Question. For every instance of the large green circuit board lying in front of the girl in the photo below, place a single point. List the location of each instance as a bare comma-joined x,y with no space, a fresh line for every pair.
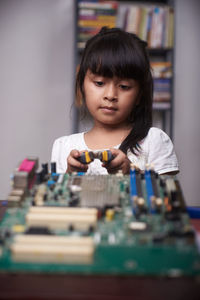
97,224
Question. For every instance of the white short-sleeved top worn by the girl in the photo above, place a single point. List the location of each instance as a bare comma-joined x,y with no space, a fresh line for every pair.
156,150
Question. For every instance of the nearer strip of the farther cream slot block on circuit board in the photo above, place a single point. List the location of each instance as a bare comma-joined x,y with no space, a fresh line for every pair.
61,221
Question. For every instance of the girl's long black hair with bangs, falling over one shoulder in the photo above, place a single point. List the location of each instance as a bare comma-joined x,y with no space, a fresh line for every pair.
114,52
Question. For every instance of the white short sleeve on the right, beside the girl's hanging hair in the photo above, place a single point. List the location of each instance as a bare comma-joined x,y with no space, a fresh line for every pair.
161,153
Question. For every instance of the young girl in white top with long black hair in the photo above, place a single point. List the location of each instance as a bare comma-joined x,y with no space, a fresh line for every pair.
115,83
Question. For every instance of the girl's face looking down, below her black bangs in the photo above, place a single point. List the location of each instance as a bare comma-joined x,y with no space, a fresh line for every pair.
110,100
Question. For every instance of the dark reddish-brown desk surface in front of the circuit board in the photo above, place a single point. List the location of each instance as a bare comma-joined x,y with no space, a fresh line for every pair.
30,287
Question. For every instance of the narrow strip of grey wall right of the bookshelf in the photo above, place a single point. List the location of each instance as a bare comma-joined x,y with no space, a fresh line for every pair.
187,97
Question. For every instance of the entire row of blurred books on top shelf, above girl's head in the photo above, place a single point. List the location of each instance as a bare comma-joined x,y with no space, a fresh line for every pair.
153,23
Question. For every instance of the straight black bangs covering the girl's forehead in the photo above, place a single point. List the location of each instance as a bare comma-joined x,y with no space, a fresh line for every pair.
109,58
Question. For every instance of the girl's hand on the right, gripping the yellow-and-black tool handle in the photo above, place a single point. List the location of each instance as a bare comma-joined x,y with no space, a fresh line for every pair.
120,162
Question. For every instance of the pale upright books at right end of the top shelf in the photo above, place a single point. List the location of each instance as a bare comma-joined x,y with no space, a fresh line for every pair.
152,23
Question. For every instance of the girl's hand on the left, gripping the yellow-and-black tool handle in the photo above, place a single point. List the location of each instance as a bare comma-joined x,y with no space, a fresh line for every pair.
73,165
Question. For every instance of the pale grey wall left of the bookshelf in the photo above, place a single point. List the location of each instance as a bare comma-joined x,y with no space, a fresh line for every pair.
36,79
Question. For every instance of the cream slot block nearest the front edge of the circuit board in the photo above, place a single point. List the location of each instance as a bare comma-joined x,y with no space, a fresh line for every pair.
53,249
